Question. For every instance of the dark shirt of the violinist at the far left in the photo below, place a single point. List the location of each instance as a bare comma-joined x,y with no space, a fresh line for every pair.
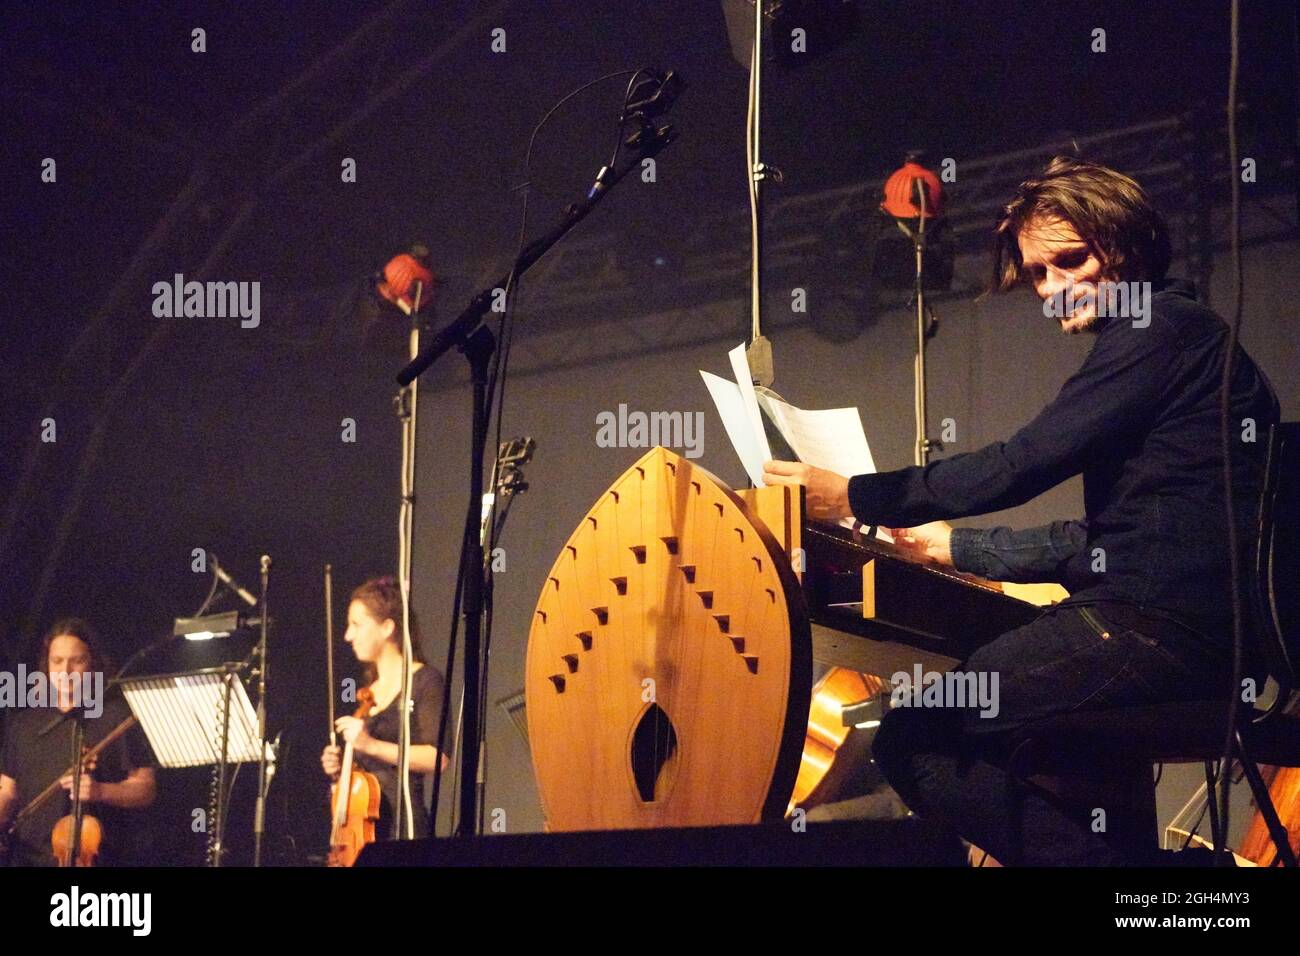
36,756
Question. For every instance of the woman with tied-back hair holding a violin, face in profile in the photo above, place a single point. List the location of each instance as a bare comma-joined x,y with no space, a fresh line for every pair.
375,631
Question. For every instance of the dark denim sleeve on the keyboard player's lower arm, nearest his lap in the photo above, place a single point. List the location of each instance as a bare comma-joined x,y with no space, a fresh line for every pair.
1029,556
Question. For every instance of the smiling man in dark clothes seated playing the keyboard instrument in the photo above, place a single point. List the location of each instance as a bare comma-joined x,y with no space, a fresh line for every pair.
1150,618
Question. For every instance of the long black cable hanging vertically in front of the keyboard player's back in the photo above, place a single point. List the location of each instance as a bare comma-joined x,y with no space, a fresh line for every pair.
1225,410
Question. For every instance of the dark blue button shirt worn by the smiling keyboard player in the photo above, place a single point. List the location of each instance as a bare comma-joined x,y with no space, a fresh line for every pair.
1141,422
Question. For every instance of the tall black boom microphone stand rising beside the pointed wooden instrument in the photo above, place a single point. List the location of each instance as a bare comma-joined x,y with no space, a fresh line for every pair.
476,341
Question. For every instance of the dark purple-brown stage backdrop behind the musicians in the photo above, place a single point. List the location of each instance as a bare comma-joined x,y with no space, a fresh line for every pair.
181,434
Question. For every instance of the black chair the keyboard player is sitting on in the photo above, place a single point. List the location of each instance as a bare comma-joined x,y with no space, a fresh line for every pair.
1195,732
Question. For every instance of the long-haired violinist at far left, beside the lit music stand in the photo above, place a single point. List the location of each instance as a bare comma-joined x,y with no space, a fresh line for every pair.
37,762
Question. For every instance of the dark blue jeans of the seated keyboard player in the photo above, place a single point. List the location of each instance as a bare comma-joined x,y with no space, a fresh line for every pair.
950,764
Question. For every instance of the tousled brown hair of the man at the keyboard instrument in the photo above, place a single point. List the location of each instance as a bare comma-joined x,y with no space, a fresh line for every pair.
1110,211
